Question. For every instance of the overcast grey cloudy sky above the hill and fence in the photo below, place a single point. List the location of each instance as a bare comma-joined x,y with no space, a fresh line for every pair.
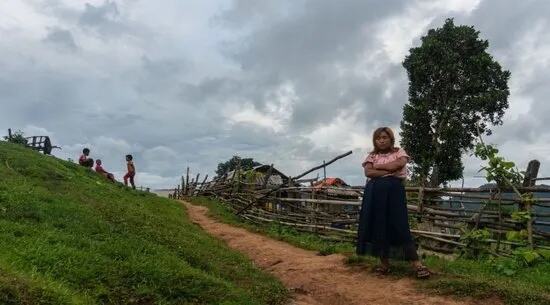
191,83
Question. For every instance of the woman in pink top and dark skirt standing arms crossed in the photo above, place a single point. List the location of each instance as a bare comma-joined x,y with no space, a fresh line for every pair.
383,223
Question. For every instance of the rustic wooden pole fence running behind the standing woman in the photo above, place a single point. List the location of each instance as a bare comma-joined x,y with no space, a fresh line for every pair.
443,220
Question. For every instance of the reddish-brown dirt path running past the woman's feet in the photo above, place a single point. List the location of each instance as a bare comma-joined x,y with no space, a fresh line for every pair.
315,279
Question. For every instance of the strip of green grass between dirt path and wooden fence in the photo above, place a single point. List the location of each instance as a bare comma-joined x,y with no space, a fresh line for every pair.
482,278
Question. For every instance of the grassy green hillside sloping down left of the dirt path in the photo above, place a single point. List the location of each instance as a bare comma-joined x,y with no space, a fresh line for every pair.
68,236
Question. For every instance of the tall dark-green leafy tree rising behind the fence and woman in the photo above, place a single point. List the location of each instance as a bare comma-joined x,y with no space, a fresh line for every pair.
455,87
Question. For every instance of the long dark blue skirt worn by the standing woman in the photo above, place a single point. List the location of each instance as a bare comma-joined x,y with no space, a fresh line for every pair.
383,222
